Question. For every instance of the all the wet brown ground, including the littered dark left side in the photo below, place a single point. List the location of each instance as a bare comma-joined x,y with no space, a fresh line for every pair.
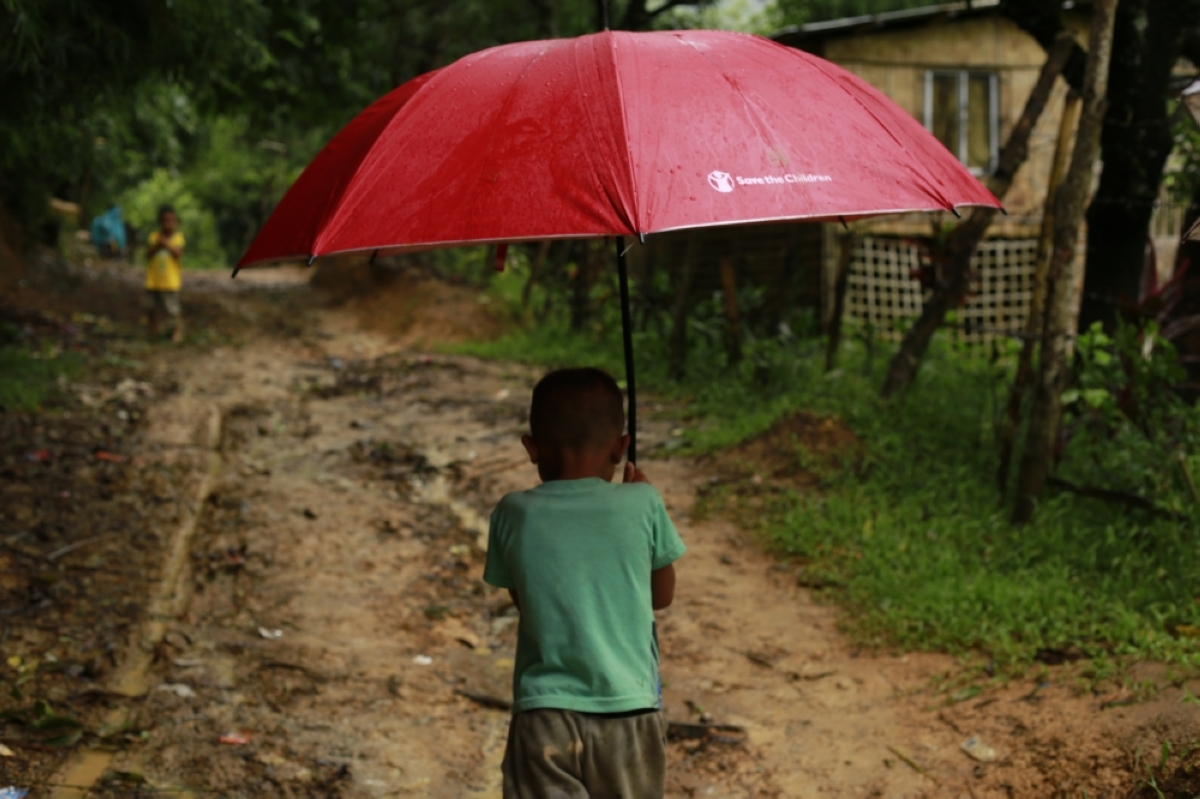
269,585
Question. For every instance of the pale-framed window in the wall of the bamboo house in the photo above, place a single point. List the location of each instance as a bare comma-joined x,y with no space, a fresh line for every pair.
963,111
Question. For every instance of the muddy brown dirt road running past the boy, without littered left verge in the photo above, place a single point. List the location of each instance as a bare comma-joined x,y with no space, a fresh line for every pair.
328,634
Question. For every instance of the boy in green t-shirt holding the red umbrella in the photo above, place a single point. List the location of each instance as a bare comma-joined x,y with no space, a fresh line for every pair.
587,563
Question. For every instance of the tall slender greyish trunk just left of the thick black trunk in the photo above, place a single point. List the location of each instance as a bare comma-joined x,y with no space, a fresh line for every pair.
1070,203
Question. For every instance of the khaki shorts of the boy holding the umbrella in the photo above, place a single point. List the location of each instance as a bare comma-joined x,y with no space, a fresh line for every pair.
566,755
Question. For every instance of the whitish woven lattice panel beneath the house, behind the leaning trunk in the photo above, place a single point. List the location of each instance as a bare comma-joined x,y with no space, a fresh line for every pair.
881,289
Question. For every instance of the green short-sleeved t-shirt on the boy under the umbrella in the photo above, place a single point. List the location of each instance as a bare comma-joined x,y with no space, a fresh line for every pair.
579,555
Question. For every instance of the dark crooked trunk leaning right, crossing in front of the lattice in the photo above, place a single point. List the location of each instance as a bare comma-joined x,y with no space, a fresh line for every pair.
955,256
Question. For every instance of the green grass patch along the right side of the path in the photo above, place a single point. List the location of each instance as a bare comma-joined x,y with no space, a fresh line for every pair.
915,534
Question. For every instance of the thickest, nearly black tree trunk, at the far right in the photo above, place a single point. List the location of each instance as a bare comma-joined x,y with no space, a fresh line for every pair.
1137,142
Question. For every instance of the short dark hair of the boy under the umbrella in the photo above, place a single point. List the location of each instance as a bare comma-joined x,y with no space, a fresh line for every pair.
577,410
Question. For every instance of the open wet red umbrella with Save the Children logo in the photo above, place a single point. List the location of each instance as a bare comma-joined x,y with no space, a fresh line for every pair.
613,135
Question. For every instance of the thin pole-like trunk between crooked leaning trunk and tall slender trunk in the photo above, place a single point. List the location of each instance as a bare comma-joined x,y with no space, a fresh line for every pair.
1036,321
